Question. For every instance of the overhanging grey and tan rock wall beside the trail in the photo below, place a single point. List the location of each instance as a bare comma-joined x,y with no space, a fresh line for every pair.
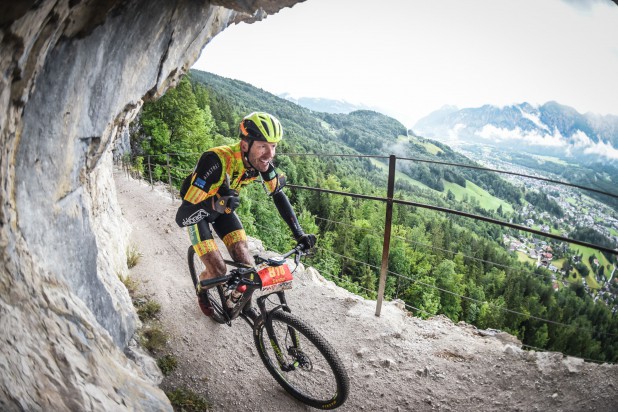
73,75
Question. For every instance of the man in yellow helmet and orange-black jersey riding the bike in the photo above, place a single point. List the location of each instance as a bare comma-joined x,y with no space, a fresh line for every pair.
210,196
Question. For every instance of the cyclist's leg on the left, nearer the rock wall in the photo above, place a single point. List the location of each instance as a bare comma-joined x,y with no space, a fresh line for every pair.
206,248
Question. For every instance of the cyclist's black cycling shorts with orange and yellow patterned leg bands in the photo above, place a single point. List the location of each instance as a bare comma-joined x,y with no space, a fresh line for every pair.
227,226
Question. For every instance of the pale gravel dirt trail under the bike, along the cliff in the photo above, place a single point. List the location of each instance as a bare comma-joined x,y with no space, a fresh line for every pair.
395,362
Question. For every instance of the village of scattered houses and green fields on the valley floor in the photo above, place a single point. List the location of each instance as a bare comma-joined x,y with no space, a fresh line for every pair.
568,263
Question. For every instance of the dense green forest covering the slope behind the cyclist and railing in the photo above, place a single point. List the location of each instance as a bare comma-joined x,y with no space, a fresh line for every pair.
438,263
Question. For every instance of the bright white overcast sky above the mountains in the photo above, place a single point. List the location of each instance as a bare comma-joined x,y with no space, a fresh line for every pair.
407,58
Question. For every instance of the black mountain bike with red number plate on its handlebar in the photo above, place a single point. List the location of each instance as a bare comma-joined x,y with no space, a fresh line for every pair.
295,354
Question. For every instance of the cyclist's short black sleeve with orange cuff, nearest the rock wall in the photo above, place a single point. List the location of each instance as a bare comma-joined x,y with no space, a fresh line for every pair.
205,179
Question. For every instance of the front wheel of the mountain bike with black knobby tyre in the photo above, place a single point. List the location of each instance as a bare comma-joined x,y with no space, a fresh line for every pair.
308,367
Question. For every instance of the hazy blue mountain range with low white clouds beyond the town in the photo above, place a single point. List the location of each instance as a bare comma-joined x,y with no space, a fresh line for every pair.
551,128
